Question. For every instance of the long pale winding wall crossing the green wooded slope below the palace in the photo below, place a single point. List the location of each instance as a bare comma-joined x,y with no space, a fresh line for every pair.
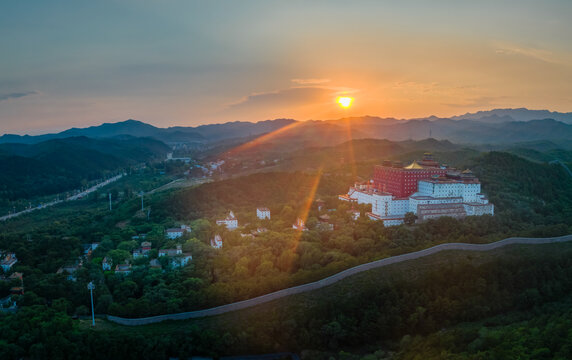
333,279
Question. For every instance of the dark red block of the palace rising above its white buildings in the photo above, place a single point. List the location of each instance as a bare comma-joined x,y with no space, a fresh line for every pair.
400,181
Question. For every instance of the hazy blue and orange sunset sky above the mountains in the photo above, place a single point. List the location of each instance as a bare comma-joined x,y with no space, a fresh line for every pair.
166,62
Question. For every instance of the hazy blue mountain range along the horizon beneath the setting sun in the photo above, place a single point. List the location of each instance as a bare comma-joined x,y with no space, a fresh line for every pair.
483,127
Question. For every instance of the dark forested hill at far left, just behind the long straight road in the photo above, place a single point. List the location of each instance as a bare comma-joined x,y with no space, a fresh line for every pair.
59,165
